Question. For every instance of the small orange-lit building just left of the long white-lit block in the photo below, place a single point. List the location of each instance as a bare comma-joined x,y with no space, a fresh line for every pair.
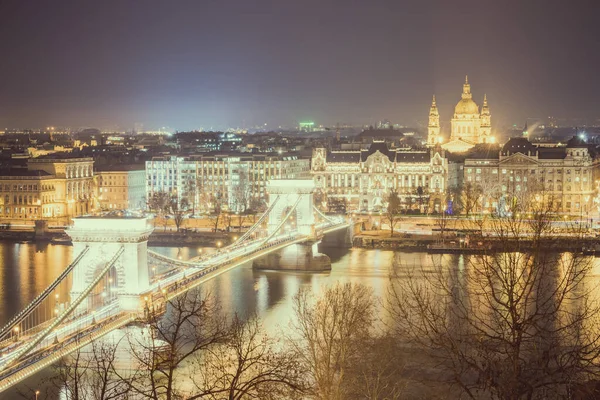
121,187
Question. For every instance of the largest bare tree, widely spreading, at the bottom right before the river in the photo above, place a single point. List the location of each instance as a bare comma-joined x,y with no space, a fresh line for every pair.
517,324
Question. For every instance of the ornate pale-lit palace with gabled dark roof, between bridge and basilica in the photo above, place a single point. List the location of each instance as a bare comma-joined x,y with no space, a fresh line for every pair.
364,178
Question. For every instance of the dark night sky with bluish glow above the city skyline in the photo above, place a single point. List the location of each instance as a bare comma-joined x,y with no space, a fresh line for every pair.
191,64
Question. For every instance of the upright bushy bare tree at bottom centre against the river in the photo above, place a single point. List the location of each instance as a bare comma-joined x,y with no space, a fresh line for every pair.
332,330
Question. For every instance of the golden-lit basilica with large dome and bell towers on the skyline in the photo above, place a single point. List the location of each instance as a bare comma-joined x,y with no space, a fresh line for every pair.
468,127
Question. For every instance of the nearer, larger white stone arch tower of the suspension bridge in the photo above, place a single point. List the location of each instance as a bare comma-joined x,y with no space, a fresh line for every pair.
105,238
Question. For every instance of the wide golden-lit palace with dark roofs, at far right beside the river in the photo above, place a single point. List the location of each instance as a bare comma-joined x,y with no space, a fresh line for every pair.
563,173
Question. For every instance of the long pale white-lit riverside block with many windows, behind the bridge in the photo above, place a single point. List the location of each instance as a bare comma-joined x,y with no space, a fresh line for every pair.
235,181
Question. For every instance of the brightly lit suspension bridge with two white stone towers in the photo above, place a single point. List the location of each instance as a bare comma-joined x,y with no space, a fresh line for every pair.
109,283
